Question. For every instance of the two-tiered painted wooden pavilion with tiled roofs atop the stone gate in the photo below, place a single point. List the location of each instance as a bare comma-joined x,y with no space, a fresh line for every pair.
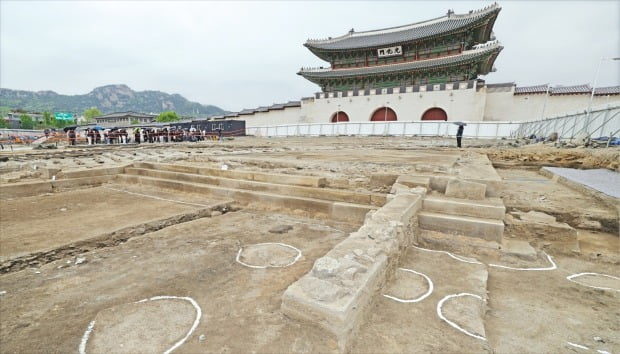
451,48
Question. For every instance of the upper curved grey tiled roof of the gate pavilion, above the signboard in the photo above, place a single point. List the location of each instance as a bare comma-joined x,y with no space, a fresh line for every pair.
401,34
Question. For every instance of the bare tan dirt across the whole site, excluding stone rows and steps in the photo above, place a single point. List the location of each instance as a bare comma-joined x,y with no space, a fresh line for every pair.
48,306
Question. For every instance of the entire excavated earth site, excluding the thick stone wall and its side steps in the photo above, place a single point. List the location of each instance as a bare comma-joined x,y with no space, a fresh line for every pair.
128,262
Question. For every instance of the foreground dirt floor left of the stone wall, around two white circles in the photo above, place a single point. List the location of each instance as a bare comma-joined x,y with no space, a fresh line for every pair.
50,310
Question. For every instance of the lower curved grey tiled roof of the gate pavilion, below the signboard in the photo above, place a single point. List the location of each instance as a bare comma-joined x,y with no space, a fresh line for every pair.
467,56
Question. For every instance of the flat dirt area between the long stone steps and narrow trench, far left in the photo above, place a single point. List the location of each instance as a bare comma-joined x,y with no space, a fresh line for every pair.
68,217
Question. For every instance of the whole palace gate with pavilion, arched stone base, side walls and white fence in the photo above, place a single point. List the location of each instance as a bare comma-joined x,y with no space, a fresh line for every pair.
428,71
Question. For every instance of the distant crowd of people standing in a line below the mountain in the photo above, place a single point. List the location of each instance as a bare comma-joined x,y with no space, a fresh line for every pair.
142,135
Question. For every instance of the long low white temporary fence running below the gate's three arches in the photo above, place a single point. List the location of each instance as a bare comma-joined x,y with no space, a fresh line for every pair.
478,130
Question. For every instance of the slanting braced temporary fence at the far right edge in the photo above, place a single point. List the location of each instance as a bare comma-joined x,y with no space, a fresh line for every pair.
601,122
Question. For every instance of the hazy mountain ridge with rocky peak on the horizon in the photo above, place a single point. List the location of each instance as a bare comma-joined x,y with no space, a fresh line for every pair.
108,99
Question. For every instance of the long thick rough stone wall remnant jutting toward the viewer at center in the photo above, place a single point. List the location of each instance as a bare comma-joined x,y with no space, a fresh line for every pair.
337,294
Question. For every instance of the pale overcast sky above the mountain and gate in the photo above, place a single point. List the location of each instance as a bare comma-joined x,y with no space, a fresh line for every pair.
239,55
